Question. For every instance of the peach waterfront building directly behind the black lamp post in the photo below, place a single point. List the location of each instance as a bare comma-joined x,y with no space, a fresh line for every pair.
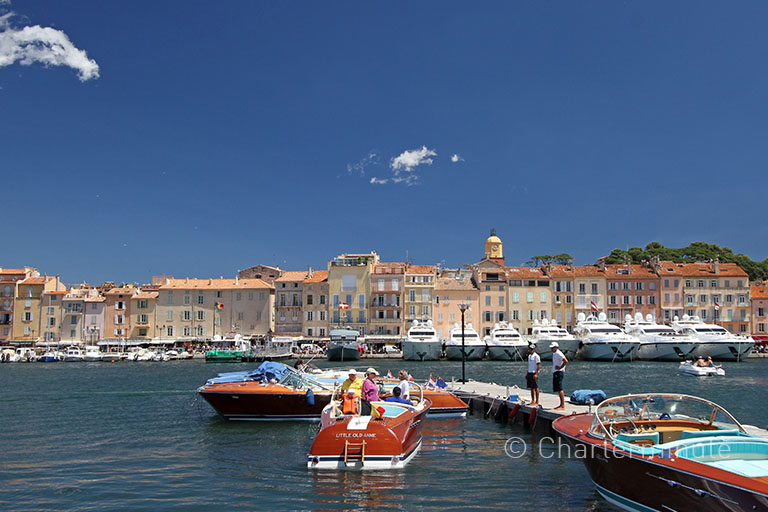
453,287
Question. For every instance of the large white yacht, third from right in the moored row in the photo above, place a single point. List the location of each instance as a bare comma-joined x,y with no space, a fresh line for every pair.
601,341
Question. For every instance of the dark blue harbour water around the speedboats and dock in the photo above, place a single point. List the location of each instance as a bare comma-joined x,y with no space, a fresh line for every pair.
134,436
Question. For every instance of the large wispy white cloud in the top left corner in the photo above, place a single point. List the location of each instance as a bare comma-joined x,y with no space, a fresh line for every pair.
44,45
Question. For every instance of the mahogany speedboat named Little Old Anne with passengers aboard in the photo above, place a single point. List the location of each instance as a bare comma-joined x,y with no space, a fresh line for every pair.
388,441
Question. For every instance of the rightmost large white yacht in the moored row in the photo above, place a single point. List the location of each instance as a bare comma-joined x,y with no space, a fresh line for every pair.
714,341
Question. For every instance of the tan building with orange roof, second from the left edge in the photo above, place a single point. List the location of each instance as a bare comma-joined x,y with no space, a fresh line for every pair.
28,304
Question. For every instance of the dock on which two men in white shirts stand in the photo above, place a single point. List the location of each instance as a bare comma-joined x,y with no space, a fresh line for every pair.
492,401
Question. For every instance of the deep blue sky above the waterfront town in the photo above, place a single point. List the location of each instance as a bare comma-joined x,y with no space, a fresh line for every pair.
221,135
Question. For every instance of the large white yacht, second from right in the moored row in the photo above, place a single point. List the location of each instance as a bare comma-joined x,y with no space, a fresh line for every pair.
658,342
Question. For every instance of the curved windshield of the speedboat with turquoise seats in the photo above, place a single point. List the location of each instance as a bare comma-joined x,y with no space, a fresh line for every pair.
642,412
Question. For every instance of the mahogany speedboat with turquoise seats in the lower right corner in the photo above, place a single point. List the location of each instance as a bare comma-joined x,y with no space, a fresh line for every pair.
669,452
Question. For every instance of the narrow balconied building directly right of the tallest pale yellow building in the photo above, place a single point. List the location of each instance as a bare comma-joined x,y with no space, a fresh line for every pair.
386,304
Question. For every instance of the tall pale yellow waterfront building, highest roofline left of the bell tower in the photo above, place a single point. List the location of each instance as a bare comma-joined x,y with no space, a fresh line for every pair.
349,283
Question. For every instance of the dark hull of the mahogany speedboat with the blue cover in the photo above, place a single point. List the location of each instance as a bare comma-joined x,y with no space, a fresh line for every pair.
245,401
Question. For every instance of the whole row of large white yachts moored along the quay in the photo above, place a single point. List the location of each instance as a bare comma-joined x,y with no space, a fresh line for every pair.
594,340
